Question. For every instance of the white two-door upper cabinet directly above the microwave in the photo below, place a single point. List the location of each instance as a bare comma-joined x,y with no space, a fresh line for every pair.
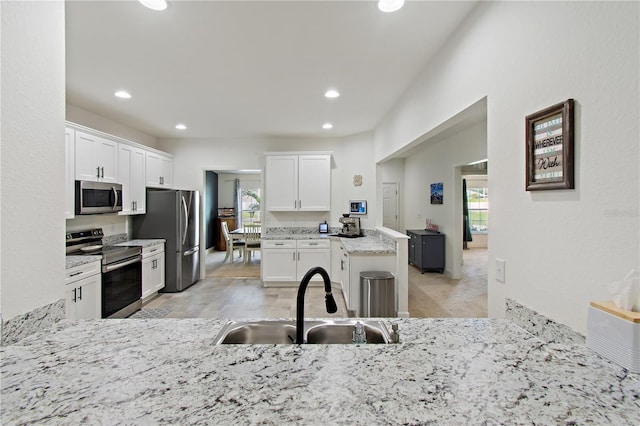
96,158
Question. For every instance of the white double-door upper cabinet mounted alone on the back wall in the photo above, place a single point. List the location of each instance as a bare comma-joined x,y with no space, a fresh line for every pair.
298,182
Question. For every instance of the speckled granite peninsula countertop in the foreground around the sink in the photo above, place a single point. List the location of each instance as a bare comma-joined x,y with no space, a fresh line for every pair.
445,371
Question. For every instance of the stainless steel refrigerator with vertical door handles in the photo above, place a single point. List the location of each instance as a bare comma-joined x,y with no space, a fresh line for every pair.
174,216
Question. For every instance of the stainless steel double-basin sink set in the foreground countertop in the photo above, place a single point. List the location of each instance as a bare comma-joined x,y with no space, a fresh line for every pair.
315,332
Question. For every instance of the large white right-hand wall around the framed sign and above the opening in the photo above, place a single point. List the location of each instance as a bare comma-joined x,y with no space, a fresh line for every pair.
561,247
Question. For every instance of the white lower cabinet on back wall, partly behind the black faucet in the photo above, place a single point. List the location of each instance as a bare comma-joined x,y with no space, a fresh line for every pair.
289,260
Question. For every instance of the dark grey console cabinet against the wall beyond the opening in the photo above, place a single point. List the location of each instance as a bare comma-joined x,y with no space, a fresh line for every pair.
426,250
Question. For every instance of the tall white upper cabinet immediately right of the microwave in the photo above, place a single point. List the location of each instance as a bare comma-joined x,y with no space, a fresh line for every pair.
131,165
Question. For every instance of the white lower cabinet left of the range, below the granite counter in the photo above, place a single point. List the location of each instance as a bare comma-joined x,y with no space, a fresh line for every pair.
83,291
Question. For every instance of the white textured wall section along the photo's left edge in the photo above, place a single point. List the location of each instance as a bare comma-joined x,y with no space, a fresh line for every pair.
32,155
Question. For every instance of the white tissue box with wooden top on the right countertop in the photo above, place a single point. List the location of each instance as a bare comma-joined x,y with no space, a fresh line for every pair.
615,334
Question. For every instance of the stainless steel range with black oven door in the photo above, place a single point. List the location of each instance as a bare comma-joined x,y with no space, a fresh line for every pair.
121,271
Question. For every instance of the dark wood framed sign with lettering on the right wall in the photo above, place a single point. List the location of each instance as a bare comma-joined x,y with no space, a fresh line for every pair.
549,147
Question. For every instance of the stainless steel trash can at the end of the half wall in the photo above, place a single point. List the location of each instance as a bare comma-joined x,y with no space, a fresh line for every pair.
377,294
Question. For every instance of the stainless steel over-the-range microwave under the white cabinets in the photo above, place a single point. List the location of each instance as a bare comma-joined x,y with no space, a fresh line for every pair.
98,197
